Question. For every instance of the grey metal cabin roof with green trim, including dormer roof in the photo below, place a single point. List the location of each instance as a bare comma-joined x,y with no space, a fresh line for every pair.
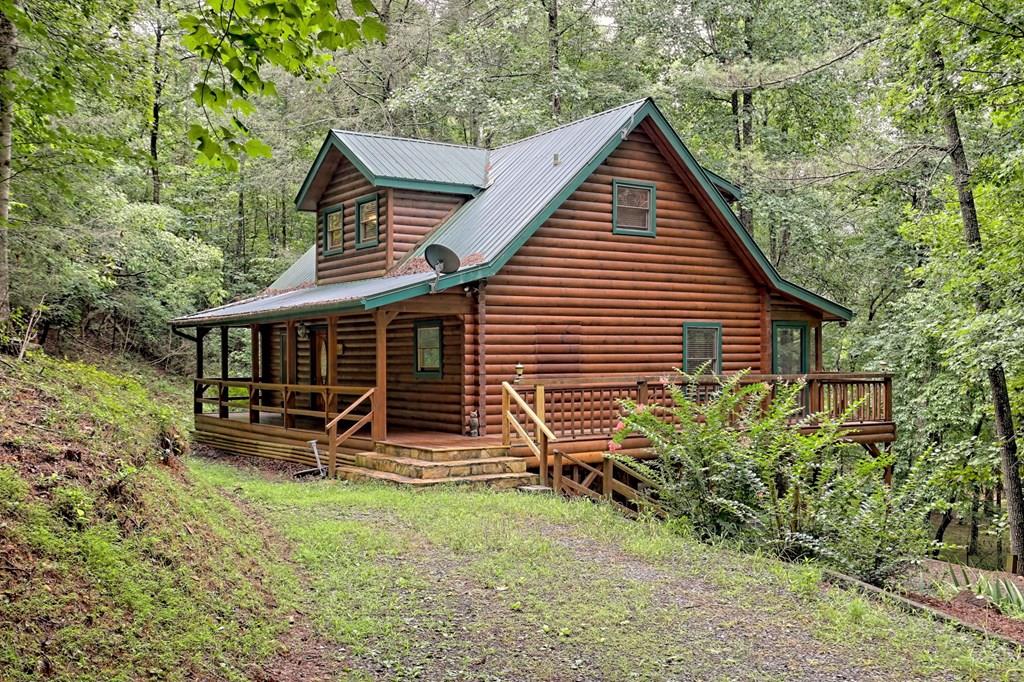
515,191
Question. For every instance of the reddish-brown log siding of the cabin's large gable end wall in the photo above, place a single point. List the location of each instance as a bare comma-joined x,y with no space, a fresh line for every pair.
578,300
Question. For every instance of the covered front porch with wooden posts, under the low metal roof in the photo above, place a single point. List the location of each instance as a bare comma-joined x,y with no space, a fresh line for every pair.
347,382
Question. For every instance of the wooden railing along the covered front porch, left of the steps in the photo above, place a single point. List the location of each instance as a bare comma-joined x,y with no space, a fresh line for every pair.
262,398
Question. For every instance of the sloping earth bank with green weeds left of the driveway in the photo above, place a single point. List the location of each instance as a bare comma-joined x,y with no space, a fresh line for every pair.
115,572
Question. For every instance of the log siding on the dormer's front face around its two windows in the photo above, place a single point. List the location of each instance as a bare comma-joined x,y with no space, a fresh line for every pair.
346,187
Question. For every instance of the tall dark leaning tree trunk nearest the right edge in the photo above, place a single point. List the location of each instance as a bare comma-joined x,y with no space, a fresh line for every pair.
997,375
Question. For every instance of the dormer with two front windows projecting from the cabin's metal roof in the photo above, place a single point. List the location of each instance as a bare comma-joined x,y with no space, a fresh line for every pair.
377,197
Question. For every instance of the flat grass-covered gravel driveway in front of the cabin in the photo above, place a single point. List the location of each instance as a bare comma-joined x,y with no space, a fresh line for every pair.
452,584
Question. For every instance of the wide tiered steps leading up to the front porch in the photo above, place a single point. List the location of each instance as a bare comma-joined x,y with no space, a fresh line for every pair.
419,466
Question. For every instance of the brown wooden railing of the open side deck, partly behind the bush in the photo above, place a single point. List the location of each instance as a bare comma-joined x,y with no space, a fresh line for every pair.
580,408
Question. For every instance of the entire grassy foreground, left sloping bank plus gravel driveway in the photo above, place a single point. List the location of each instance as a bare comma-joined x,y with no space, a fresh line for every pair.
116,567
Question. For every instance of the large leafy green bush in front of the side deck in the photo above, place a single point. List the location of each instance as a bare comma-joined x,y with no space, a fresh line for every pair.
737,466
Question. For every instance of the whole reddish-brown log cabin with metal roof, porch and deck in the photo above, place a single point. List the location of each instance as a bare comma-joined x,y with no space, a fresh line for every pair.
584,265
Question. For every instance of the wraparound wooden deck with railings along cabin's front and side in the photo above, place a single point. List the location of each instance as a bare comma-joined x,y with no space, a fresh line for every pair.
574,415
